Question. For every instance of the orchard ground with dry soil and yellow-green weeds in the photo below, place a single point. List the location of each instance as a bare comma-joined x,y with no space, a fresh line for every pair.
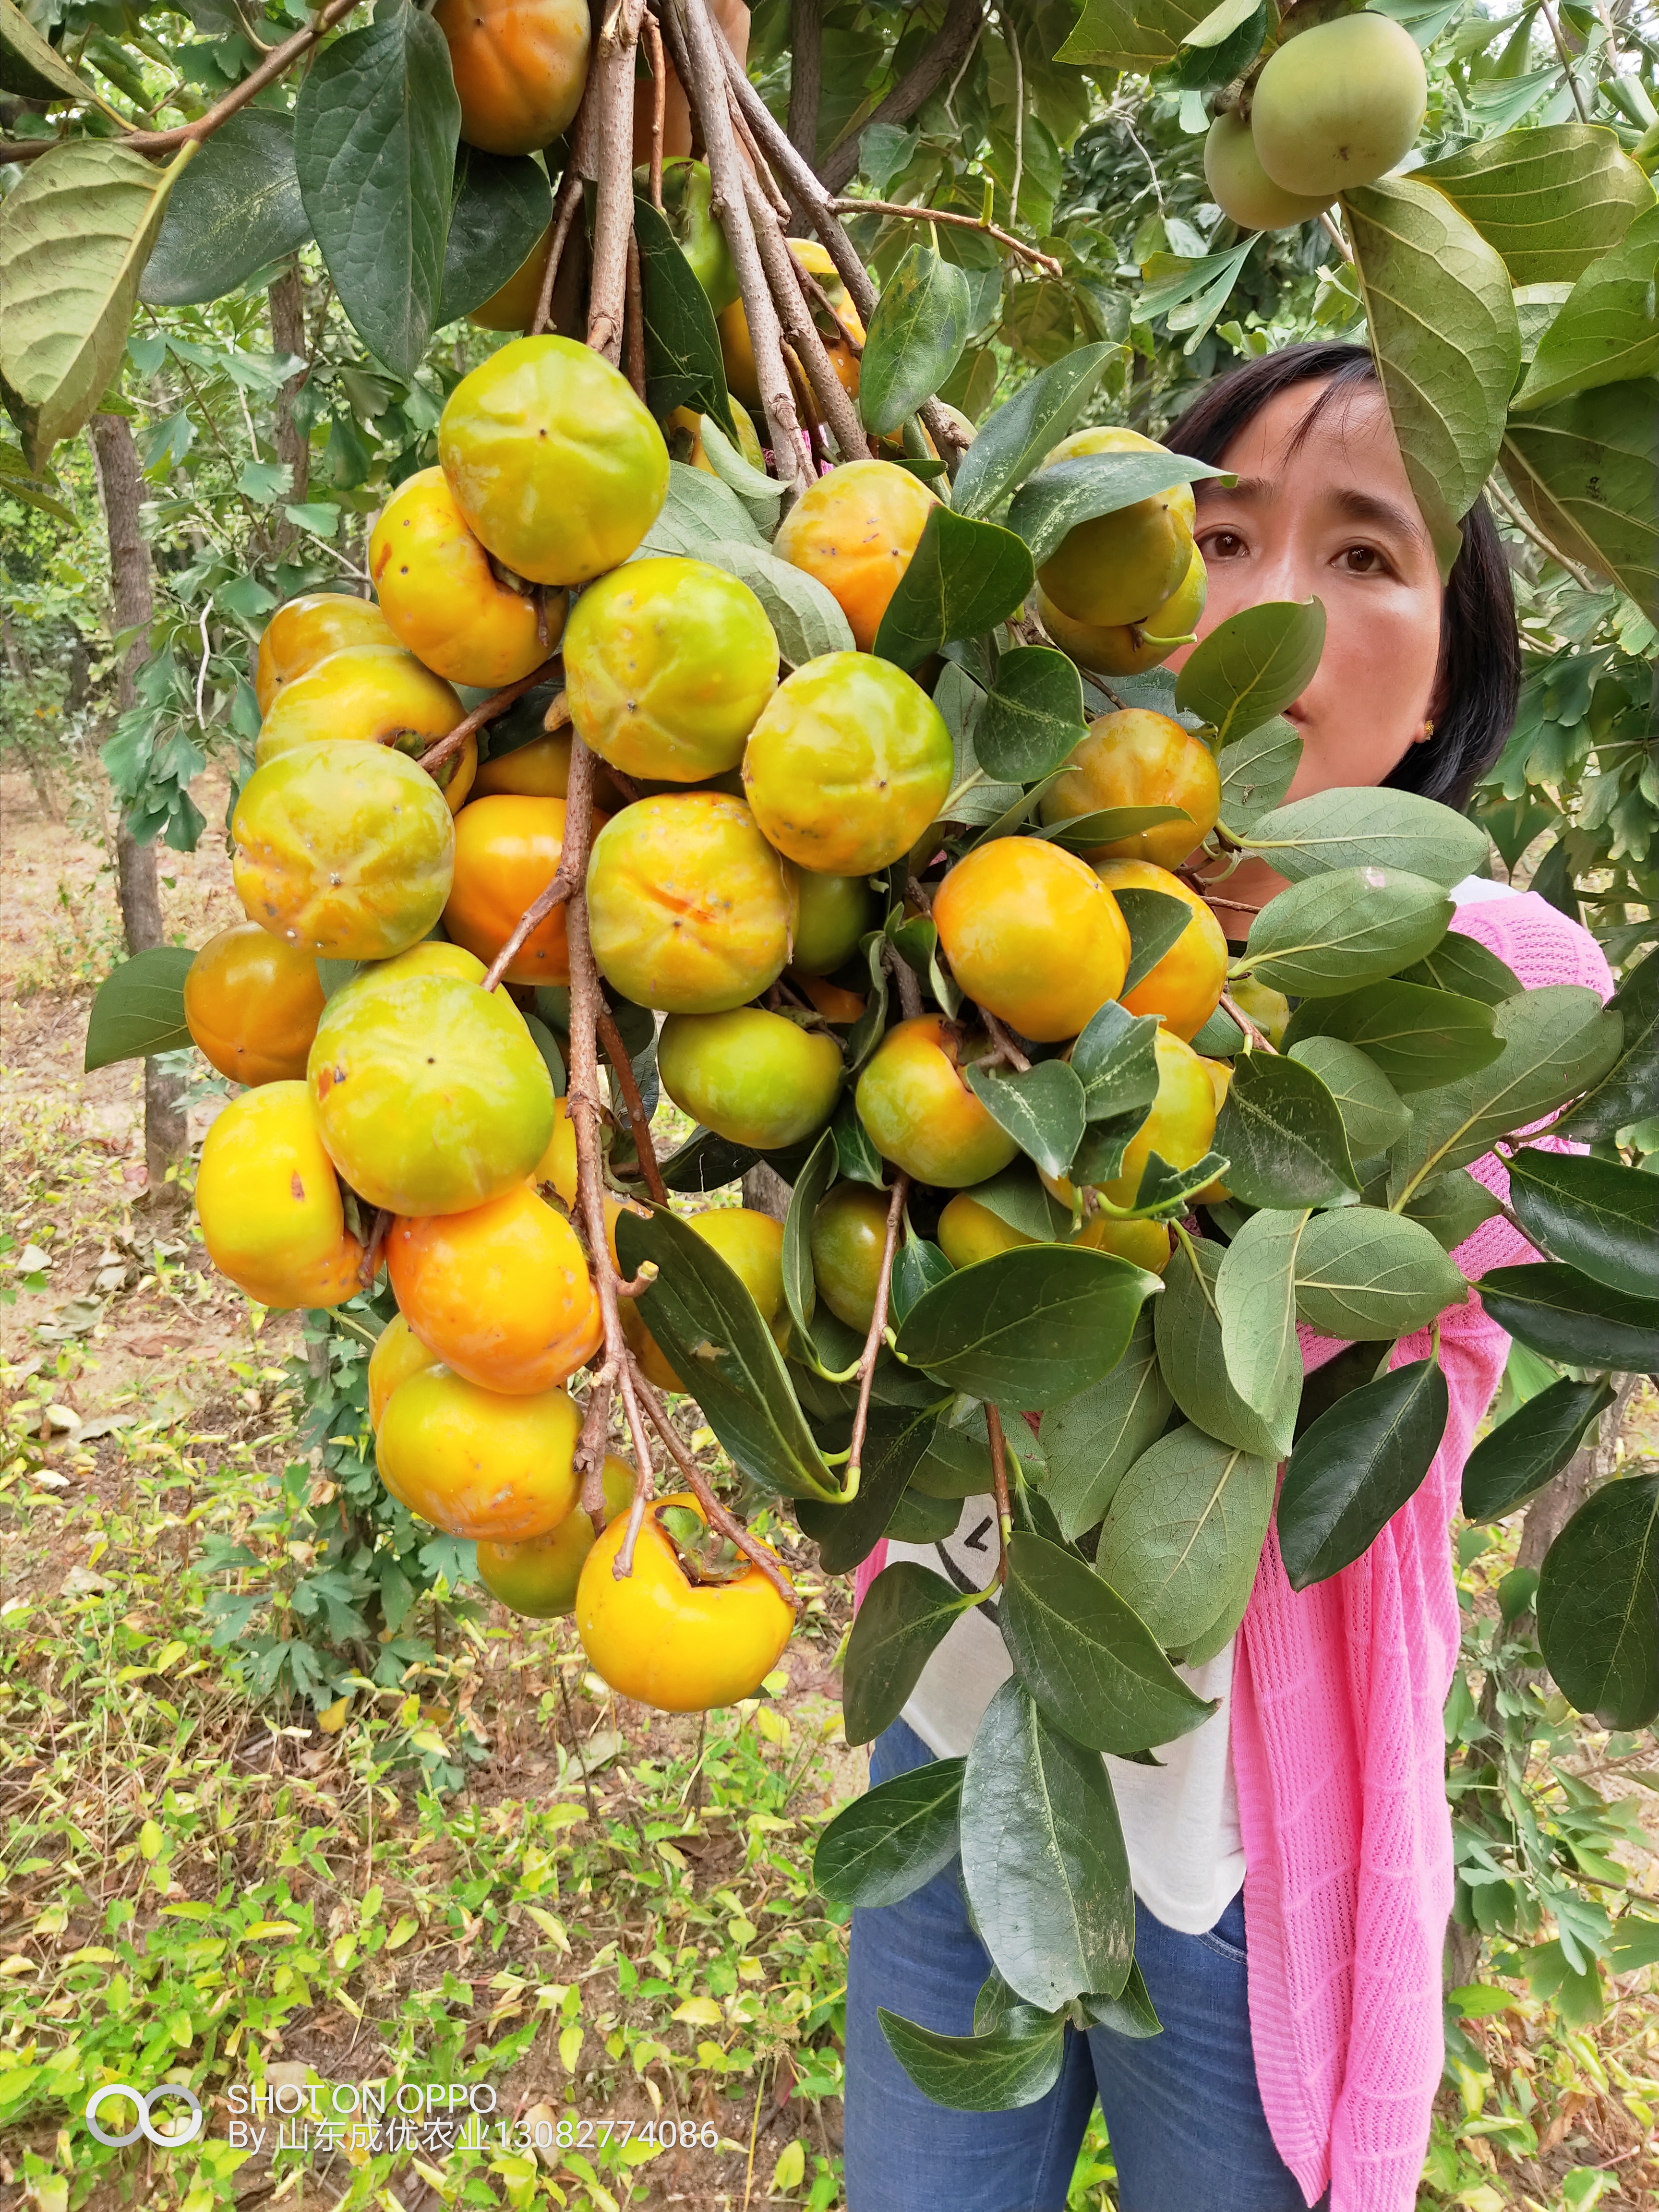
612,1921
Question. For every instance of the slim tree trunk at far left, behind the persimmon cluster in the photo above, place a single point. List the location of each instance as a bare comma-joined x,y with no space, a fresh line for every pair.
140,895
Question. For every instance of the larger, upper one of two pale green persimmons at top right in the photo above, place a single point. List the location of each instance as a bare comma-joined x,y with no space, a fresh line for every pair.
1339,105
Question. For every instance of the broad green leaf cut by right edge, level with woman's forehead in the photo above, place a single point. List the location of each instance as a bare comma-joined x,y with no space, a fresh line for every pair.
1587,472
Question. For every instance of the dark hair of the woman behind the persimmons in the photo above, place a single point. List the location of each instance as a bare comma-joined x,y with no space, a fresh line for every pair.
1479,680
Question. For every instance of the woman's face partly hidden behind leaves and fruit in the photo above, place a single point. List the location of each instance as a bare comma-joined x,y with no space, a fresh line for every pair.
1333,519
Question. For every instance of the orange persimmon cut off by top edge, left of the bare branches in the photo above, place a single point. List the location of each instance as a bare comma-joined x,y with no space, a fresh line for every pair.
521,70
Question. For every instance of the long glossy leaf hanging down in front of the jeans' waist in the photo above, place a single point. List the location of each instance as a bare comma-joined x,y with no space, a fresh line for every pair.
1043,1857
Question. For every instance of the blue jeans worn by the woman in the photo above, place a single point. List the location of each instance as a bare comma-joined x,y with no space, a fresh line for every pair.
1182,2109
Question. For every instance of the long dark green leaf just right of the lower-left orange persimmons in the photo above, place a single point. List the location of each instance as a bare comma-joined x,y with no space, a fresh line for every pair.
713,1335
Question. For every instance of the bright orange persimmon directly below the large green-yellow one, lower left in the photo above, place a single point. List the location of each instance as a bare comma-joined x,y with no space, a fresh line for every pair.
501,1293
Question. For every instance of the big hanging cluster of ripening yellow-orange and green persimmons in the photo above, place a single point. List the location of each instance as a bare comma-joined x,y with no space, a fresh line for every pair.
747,815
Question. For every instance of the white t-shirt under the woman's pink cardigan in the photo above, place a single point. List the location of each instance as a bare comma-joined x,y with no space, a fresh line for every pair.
1180,1819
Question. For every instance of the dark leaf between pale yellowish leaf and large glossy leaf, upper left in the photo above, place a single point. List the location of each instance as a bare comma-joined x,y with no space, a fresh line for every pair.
233,213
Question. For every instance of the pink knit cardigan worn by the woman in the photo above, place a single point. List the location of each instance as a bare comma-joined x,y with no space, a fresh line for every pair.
1339,1751
